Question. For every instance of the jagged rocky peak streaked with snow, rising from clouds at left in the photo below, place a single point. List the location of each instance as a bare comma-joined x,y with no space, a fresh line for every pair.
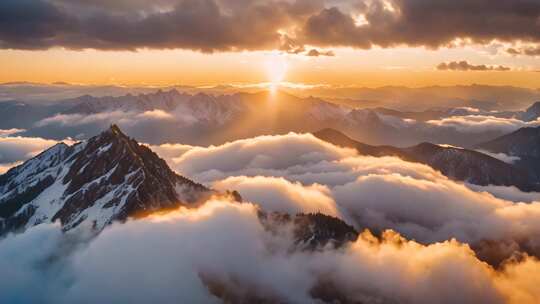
108,178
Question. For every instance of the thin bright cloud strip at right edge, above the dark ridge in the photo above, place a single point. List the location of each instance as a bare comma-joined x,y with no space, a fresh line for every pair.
482,123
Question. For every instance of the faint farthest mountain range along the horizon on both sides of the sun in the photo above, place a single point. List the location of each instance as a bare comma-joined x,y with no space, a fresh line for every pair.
500,98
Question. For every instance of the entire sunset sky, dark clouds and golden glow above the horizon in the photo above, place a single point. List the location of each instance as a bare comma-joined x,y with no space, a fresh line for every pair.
369,43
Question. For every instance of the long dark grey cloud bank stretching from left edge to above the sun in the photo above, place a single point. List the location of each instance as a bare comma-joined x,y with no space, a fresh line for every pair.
204,25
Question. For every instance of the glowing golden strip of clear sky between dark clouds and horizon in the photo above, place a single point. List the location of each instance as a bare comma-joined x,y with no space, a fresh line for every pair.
349,67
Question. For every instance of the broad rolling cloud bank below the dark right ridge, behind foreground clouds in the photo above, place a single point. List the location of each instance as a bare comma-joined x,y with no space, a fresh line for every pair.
377,193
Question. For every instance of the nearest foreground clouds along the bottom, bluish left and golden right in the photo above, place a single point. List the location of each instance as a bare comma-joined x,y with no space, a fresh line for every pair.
192,256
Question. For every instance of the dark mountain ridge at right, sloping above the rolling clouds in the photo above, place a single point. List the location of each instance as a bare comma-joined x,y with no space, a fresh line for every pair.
455,163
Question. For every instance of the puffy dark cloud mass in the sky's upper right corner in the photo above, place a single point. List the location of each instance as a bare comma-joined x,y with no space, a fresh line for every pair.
426,23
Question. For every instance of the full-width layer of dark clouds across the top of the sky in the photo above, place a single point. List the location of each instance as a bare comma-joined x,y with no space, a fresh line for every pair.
225,25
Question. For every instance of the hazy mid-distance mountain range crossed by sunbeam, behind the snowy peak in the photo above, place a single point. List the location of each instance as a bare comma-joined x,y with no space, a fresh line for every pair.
204,119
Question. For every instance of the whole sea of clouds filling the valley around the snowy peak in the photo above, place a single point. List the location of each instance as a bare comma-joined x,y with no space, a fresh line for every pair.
429,236
